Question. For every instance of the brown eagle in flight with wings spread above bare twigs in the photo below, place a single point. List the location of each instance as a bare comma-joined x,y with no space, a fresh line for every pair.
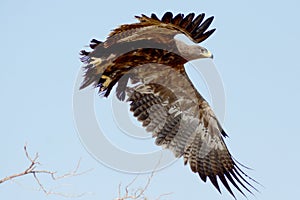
145,61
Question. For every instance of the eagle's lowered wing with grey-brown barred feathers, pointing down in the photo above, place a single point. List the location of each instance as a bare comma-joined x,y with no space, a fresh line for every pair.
169,106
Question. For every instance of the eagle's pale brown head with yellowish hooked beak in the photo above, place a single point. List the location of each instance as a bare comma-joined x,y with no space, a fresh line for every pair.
192,52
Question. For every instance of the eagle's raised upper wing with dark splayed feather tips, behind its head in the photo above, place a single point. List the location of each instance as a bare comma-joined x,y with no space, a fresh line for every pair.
163,29
